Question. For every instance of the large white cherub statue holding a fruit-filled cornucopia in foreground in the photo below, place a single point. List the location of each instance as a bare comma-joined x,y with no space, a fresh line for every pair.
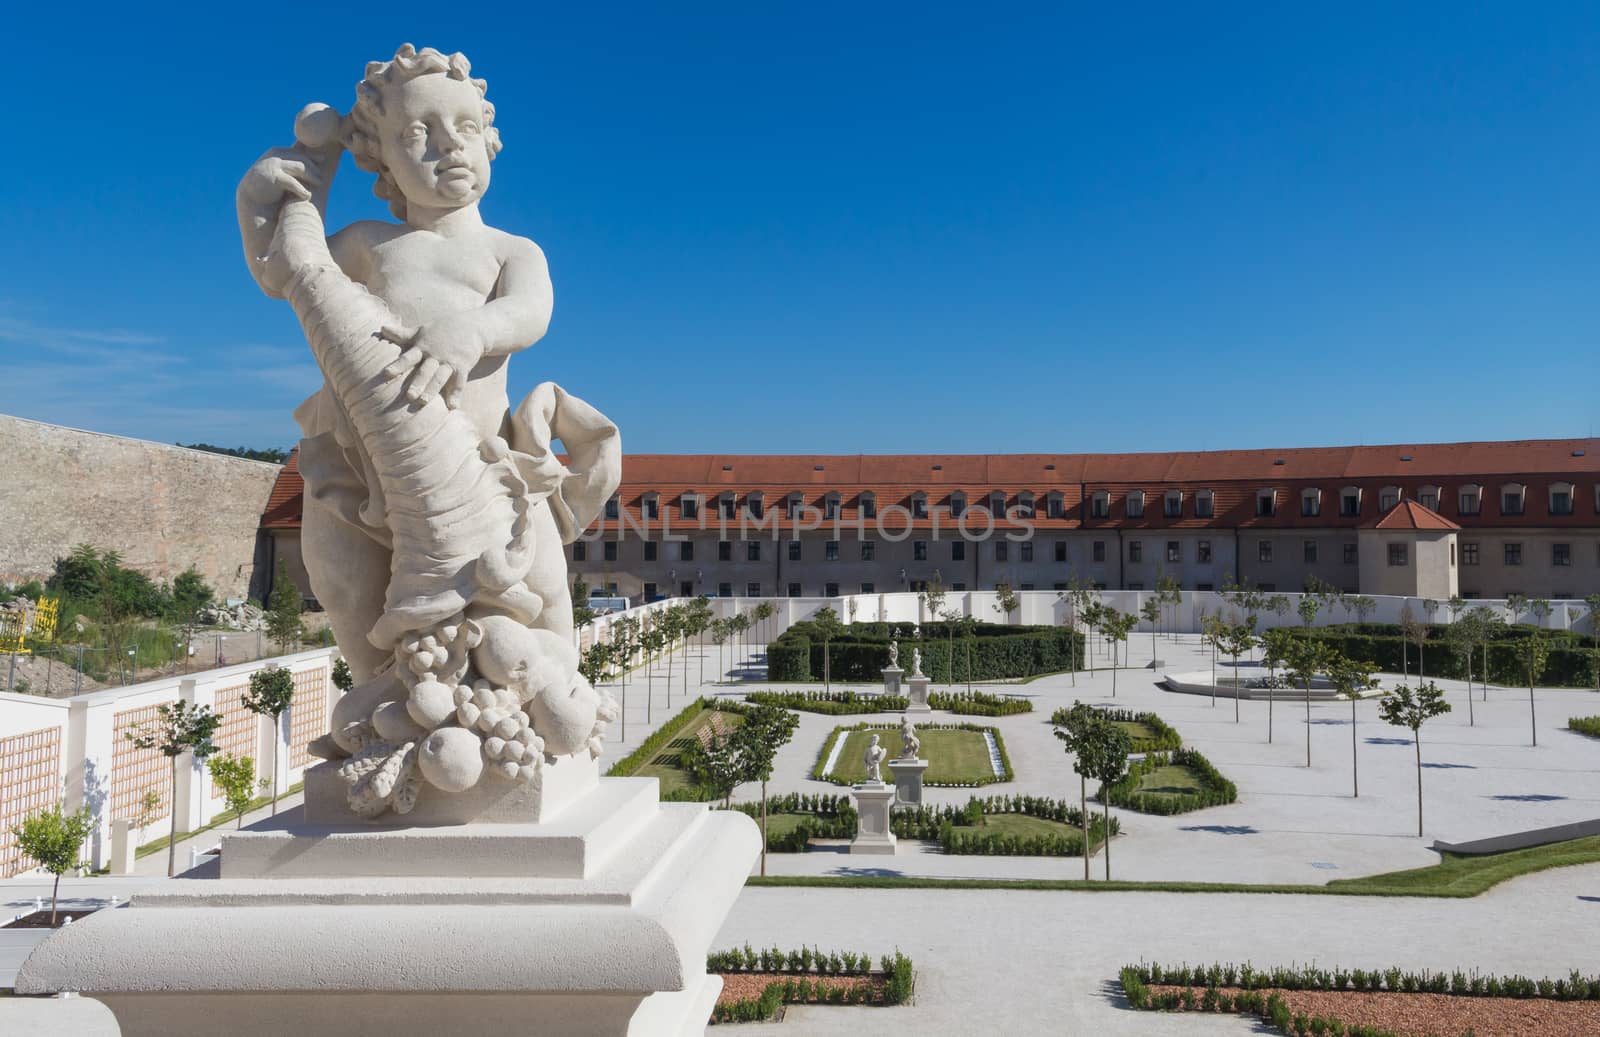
434,514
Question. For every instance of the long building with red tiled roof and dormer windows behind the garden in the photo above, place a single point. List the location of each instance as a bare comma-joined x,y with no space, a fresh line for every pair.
1482,519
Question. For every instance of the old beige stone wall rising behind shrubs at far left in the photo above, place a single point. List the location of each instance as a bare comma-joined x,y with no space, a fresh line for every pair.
162,508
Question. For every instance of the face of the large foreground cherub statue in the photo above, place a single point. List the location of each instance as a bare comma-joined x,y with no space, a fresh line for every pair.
433,142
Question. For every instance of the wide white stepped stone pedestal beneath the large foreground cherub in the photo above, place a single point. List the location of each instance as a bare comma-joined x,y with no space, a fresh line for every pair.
596,921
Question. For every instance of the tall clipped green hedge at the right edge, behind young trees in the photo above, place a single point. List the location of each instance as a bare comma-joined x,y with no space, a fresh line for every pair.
1572,663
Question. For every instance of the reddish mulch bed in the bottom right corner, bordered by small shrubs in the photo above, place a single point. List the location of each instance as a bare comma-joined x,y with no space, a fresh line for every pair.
1422,1015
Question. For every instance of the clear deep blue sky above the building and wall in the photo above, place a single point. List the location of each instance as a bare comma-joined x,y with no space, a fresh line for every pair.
866,228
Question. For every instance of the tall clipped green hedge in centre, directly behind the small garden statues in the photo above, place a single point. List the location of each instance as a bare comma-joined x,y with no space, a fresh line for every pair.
998,652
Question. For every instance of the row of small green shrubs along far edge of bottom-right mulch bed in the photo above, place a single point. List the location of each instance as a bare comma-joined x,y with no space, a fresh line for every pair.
1458,983
